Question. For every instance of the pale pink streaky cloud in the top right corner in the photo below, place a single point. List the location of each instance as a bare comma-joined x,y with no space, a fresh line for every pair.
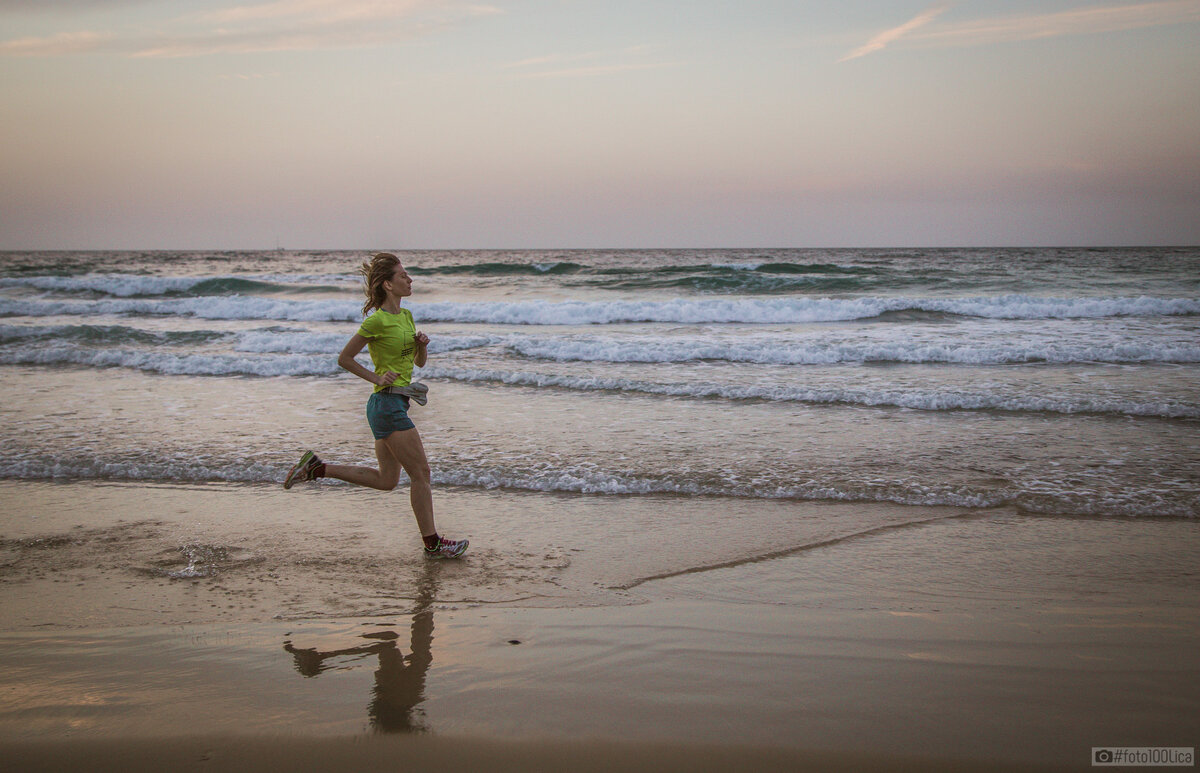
1083,21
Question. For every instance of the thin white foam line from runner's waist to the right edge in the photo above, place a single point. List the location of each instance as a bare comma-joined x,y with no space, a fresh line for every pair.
914,399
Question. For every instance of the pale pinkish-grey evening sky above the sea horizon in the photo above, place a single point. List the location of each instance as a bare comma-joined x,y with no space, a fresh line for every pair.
555,124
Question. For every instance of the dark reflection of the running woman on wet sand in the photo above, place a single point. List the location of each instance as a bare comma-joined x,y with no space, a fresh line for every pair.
400,681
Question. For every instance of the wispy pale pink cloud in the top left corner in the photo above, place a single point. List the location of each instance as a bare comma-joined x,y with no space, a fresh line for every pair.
278,26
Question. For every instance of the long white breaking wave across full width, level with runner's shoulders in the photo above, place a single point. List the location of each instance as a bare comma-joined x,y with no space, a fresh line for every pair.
680,311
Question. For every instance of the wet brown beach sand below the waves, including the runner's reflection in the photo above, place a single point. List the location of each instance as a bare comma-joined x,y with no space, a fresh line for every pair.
242,627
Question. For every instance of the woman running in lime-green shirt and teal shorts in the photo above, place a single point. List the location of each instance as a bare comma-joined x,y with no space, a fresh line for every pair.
395,346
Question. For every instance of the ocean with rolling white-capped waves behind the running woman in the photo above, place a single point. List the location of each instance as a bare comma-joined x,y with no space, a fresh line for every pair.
1053,382
